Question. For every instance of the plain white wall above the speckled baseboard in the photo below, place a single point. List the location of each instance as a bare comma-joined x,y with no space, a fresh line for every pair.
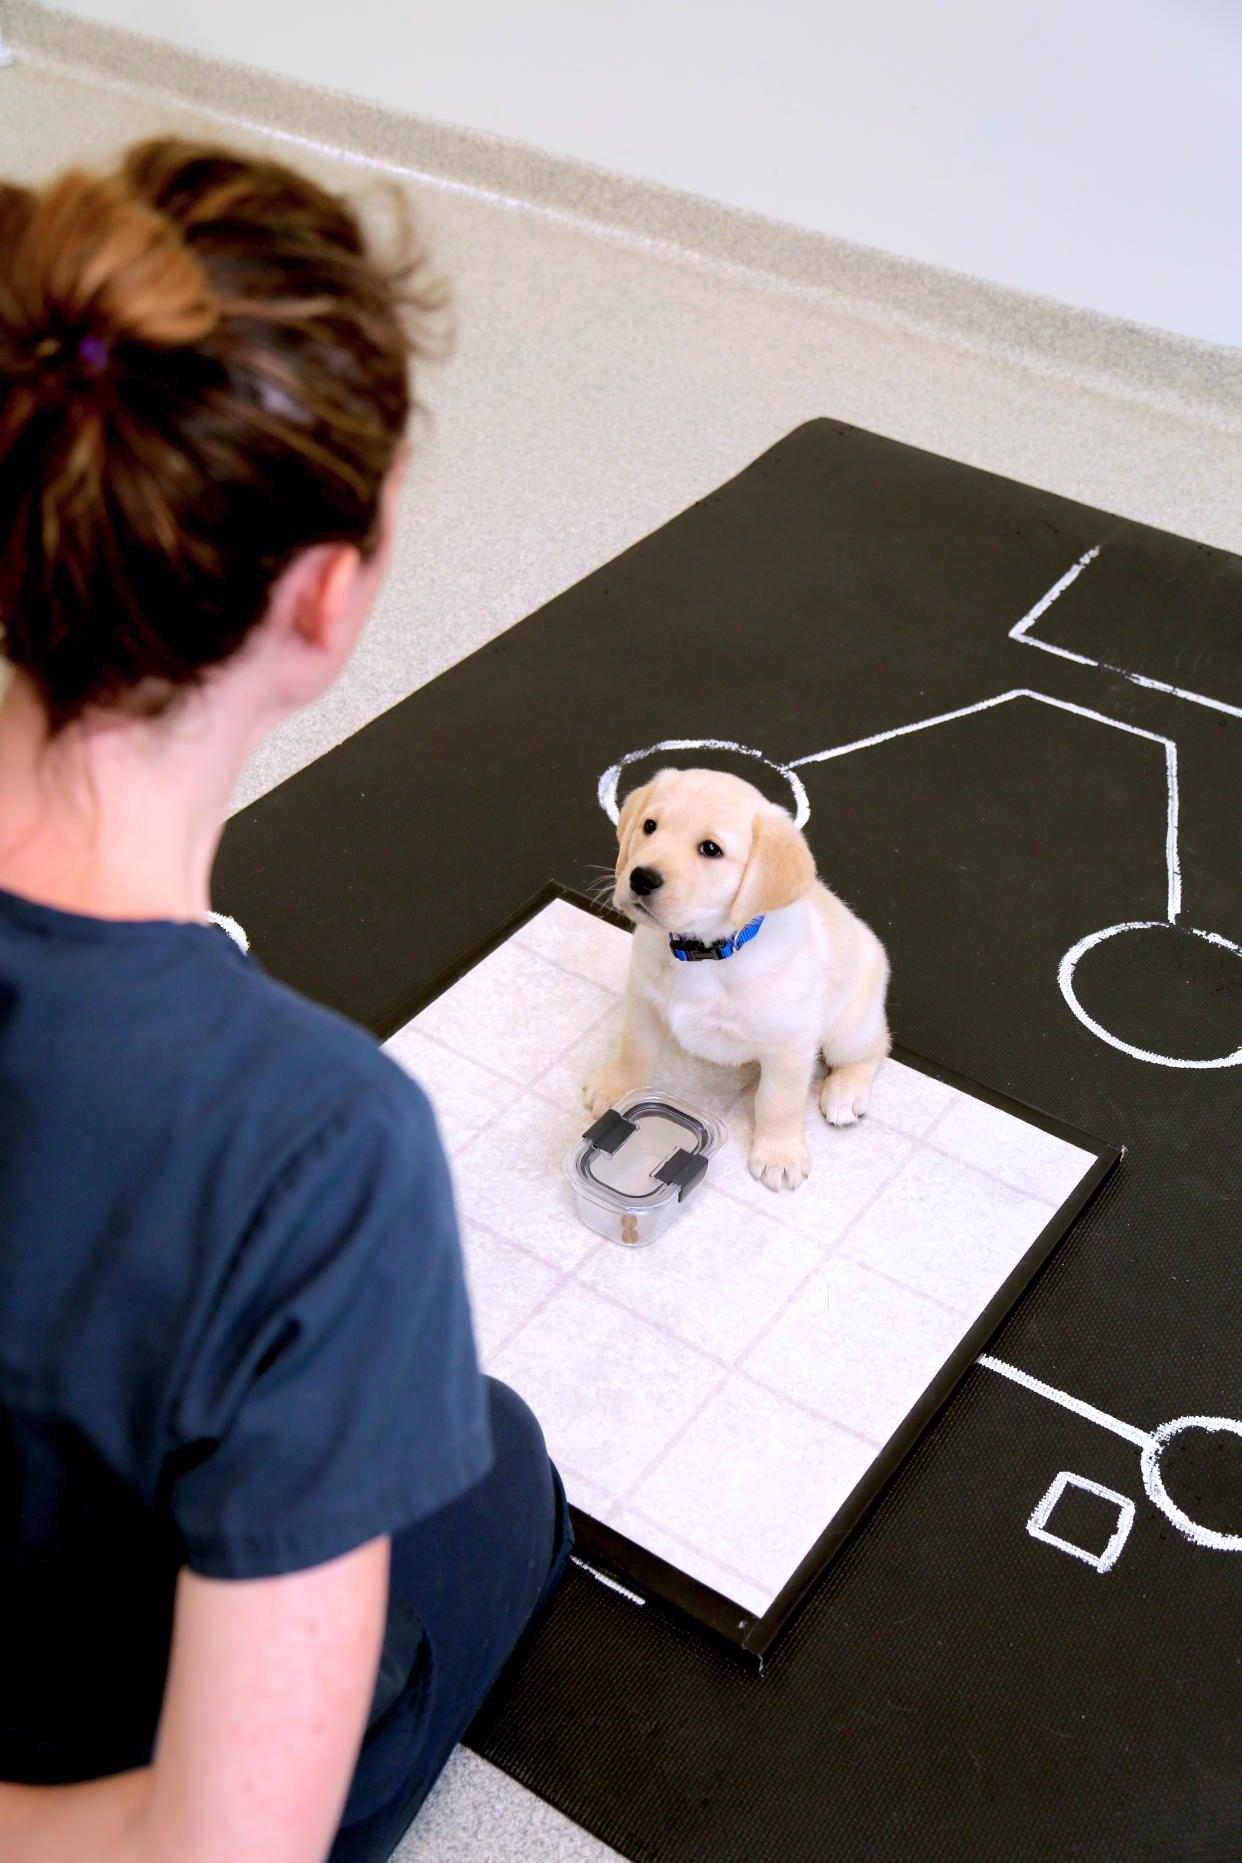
1088,150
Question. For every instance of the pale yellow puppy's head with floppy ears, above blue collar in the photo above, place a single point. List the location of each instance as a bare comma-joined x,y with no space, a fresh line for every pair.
703,854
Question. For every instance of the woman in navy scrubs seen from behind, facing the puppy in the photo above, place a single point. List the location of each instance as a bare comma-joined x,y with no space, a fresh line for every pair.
265,1534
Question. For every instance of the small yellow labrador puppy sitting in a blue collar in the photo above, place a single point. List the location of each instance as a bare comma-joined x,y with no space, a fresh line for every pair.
746,957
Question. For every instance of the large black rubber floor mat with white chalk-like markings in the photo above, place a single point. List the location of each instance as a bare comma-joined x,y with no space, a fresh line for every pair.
956,1689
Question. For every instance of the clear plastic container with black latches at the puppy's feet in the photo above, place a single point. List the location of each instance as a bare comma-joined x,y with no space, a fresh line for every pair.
641,1160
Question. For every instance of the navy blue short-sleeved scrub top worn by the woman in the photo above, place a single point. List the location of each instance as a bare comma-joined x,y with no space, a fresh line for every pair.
234,1324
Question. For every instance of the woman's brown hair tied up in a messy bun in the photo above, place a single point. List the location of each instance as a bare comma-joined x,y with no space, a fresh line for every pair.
204,372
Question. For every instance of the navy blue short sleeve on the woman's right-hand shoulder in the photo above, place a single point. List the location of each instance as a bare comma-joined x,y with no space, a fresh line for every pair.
336,1393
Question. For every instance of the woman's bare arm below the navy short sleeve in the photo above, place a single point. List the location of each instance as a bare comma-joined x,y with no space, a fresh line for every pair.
265,1709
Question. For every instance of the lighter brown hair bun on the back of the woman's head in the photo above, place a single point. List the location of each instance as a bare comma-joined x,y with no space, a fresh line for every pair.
96,260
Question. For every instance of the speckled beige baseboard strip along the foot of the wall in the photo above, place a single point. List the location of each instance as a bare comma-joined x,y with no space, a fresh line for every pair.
1155,368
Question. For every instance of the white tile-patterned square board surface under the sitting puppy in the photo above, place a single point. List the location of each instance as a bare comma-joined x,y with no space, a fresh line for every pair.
718,1396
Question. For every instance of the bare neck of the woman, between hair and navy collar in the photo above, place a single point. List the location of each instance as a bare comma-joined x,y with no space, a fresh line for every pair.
115,817
